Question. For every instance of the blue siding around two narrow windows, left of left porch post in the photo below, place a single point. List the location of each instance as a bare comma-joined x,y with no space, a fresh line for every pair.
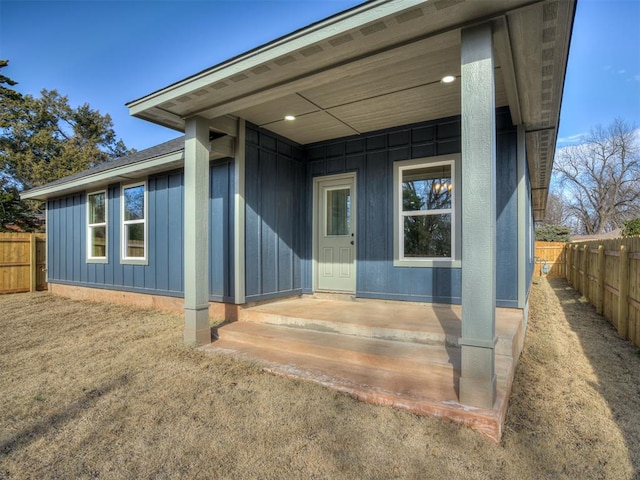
67,234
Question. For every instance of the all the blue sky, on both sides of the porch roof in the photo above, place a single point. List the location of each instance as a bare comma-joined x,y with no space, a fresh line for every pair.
107,53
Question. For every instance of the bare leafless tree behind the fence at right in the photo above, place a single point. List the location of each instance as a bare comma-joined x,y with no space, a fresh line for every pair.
600,178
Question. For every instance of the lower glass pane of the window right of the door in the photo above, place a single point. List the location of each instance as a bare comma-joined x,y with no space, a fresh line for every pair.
427,236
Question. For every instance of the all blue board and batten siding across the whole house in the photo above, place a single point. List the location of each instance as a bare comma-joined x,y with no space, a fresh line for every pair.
279,176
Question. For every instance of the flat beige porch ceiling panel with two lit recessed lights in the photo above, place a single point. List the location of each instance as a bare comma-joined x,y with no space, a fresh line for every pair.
399,88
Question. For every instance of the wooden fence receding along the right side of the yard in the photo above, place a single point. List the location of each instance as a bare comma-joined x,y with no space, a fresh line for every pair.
607,273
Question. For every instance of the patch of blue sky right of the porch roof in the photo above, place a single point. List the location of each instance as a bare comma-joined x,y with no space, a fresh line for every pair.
603,75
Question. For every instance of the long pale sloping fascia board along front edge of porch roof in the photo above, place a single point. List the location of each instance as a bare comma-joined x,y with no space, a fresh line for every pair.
321,31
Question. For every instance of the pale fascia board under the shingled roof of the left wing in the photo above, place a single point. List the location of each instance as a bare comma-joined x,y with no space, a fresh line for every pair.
103,177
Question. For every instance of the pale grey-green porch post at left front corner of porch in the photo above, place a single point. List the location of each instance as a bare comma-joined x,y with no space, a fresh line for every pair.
196,232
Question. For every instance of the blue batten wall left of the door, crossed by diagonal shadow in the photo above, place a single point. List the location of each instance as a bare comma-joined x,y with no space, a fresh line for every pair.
274,198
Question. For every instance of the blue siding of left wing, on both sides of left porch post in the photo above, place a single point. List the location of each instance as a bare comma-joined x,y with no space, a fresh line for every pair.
164,273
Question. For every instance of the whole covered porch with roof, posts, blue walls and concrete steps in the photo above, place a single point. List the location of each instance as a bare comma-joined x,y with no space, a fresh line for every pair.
372,76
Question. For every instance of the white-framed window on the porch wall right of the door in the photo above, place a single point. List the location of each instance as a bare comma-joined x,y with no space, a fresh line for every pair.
425,216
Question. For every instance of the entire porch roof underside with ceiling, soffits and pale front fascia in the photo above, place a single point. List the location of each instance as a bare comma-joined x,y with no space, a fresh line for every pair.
380,65
